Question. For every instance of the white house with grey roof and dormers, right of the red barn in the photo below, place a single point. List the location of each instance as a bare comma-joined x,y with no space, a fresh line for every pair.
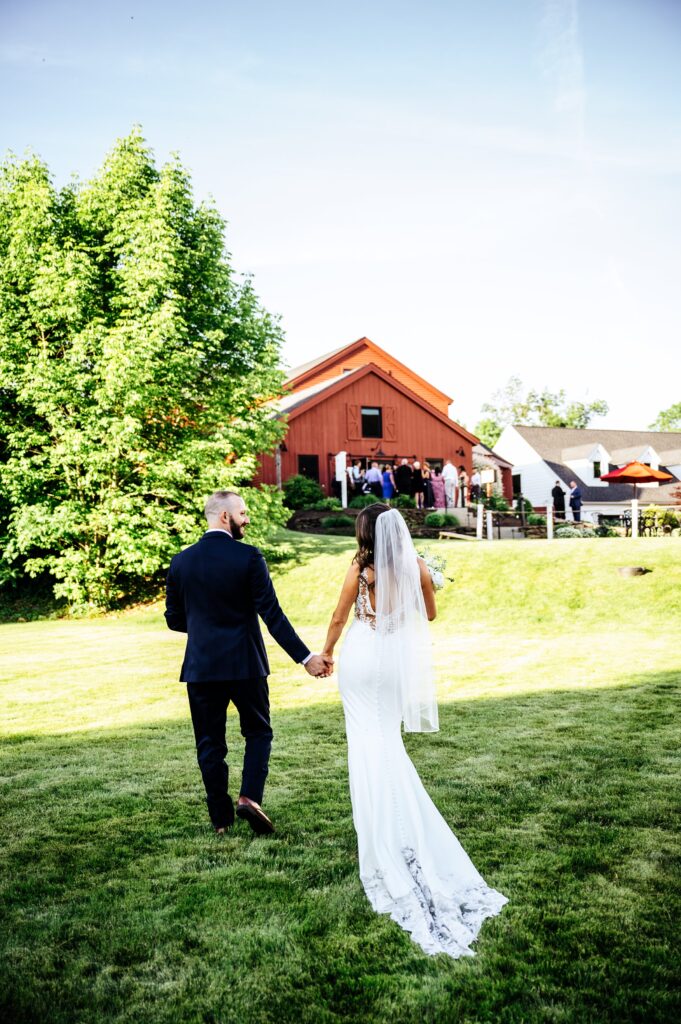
543,455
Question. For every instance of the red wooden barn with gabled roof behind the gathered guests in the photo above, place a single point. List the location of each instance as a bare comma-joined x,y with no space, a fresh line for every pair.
364,402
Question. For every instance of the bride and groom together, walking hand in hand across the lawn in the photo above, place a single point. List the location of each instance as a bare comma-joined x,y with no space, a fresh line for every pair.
411,865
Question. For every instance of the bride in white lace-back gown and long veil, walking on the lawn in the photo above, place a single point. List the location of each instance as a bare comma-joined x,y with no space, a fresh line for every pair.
411,865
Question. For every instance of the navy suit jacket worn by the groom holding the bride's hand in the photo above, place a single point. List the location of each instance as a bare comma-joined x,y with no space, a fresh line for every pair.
216,591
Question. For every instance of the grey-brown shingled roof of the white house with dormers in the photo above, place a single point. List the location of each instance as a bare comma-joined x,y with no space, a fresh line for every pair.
552,444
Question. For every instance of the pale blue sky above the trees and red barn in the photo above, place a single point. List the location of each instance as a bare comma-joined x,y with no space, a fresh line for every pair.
484,189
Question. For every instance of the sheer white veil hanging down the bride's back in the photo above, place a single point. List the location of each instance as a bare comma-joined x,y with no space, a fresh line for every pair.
402,623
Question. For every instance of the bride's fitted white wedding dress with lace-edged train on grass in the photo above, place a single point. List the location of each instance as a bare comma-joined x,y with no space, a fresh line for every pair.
411,865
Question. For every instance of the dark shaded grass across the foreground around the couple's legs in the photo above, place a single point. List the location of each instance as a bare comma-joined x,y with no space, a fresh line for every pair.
120,904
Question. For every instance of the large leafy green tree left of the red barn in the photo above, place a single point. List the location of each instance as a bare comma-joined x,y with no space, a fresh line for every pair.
135,371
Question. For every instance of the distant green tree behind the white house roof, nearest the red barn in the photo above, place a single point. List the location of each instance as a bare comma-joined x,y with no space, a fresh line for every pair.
540,409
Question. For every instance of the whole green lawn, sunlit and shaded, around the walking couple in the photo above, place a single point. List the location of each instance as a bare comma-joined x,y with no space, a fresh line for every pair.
558,765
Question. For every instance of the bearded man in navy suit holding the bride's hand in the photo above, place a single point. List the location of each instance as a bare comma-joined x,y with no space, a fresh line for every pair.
217,589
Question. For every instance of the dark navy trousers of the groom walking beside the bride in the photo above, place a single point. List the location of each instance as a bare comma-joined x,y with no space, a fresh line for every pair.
208,704
